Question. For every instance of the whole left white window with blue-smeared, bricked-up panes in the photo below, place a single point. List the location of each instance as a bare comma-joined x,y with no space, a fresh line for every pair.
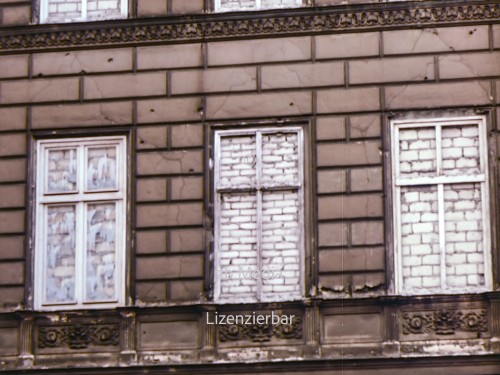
80,223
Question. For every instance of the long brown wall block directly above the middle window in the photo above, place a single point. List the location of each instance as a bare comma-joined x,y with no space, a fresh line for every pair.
259,105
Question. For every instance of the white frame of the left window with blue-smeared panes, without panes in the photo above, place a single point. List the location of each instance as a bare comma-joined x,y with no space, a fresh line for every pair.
80,199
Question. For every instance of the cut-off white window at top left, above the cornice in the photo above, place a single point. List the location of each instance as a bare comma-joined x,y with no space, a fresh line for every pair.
60,11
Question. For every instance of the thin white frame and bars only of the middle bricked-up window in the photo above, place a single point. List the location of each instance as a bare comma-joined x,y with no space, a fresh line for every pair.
258,189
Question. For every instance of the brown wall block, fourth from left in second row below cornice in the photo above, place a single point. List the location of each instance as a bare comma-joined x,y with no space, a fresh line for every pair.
302,75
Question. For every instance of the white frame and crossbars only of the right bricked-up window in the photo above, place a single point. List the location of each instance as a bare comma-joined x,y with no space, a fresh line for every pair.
439,181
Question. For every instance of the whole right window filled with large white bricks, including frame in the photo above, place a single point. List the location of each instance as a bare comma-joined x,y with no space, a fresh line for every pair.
441,206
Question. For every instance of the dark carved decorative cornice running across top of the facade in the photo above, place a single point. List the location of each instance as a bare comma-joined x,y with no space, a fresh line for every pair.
249,24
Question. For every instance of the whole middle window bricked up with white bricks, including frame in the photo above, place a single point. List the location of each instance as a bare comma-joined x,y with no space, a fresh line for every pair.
259,215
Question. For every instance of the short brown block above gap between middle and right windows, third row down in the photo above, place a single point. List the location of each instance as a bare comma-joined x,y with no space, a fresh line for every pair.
348,100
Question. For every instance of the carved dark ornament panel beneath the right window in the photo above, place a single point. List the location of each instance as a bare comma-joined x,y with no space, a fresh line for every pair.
444,322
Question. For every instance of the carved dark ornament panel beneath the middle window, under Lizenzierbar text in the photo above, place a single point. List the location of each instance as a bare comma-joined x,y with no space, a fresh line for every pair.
260,332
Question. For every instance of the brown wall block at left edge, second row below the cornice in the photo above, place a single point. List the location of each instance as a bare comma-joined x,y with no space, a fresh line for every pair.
39,90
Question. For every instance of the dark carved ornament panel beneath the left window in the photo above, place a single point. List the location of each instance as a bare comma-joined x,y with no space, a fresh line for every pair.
78,336
